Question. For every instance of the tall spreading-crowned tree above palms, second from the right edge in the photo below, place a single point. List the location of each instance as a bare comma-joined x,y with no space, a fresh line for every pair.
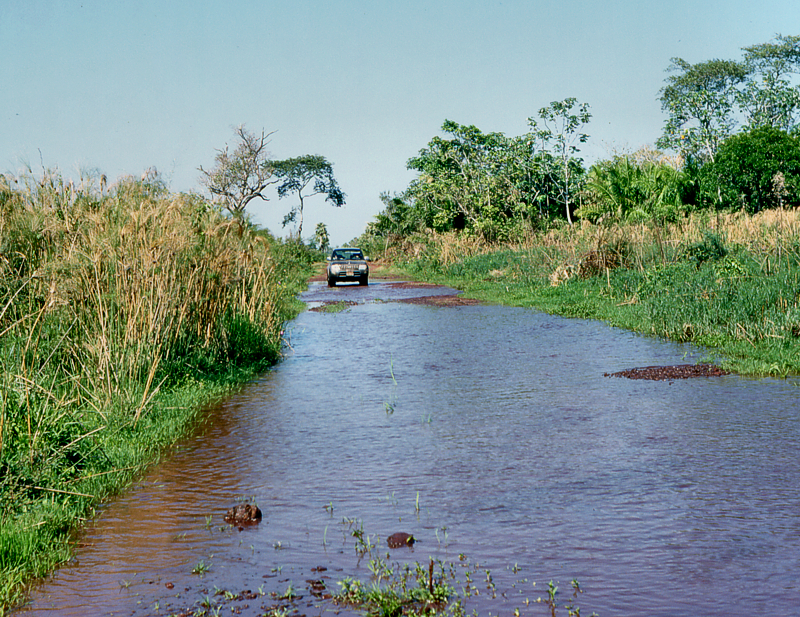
700,102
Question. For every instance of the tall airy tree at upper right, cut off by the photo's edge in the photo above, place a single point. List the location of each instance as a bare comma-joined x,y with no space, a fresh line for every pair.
769,98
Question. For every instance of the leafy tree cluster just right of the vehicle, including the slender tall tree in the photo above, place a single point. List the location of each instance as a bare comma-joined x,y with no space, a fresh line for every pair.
490,184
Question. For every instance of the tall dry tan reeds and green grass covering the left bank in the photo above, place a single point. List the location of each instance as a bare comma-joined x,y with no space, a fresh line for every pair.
122,309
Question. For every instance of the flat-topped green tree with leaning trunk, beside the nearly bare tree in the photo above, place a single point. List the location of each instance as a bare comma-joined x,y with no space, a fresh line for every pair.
295,175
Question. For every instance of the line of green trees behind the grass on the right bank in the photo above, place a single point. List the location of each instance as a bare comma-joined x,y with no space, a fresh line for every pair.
730,142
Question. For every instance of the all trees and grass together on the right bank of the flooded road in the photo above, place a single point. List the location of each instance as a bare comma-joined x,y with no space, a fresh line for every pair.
698,241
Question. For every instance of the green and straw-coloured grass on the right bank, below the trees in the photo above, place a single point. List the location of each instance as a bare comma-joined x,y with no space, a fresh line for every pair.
740,300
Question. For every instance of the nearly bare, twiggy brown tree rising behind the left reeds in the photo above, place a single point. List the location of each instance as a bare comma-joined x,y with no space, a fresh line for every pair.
239,177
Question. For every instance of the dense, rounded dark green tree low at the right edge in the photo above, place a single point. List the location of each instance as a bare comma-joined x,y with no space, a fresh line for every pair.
754,170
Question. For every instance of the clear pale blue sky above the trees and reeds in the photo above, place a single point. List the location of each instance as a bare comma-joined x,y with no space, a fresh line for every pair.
122,86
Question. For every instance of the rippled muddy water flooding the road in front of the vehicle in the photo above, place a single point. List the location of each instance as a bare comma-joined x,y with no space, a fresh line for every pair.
485,431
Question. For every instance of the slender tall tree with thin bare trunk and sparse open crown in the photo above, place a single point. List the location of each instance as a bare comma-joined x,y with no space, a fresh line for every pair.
560,134
